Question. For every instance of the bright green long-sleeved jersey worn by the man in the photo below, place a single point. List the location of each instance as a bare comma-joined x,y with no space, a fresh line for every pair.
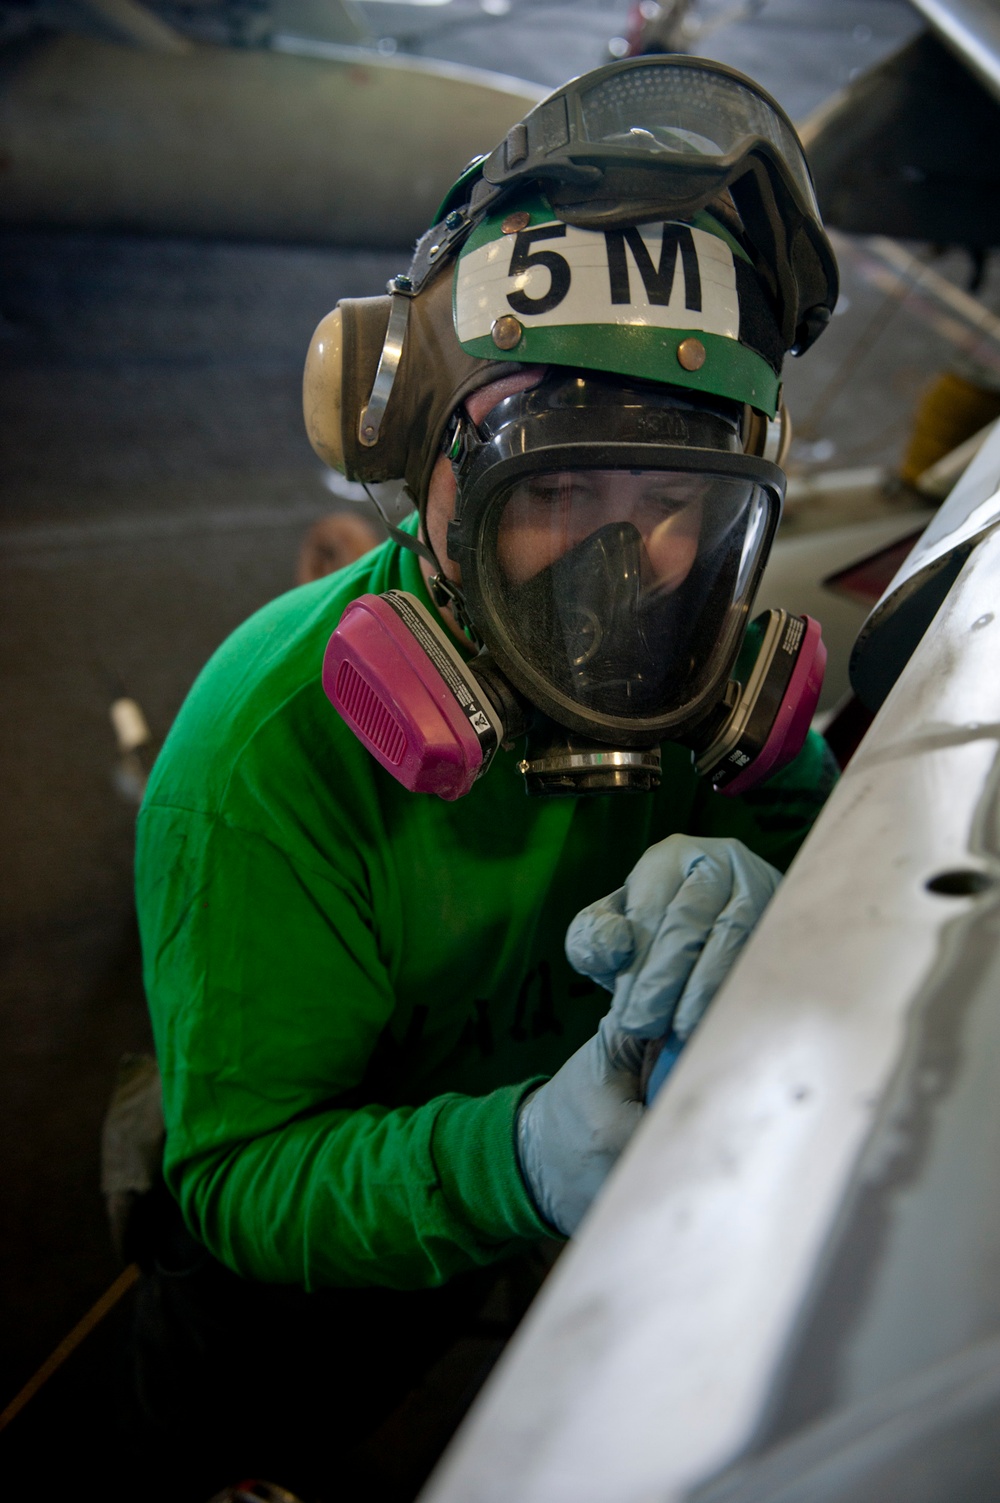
353,987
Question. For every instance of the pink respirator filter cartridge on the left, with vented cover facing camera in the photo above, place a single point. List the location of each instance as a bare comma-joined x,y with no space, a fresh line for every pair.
402,686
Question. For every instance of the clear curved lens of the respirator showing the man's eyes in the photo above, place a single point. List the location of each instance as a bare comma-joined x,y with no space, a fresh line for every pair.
625,590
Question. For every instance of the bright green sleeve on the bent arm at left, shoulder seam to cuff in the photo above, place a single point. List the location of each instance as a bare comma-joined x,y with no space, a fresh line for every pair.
268,996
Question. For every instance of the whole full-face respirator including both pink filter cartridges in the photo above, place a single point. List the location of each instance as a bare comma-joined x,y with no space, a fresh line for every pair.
610,542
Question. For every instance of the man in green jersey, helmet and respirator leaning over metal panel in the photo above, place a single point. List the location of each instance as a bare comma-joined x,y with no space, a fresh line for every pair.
381,1071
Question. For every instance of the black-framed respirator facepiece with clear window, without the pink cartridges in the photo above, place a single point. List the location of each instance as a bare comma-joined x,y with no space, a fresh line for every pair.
613,590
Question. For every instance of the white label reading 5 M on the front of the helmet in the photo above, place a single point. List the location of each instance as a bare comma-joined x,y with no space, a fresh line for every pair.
652,276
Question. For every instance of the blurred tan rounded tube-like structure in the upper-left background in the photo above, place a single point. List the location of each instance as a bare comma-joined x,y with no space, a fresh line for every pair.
303,142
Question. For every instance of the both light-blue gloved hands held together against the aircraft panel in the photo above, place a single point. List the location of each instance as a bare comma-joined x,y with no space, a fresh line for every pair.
664,943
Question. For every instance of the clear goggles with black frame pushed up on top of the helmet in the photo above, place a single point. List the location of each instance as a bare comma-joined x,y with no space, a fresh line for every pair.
664,138
